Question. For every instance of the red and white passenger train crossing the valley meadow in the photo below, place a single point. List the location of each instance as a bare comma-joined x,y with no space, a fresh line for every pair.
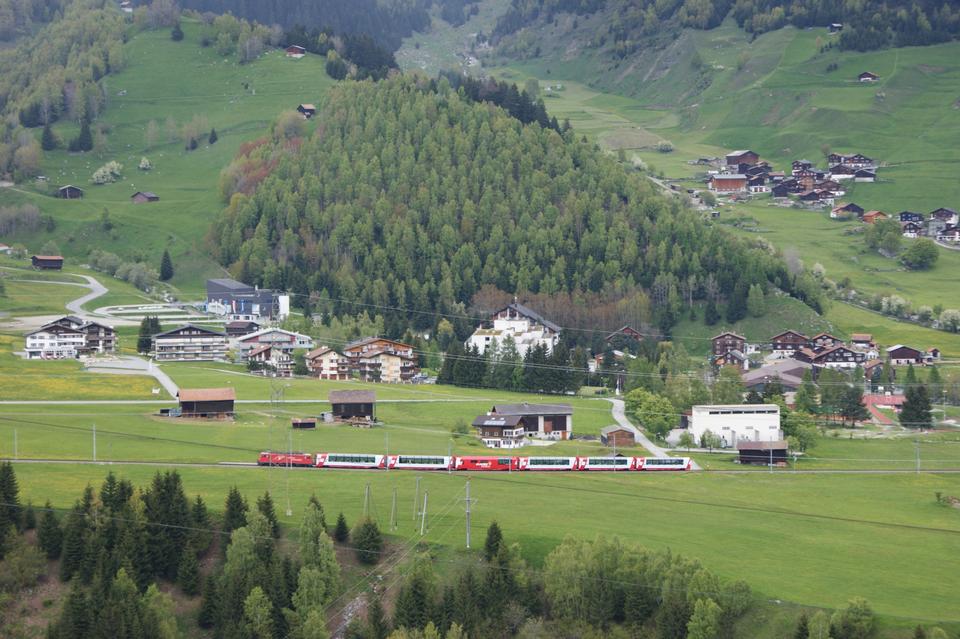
472,462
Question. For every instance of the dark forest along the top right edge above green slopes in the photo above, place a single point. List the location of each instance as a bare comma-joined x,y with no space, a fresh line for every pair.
873,24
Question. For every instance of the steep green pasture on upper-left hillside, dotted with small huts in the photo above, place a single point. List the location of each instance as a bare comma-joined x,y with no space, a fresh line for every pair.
177,80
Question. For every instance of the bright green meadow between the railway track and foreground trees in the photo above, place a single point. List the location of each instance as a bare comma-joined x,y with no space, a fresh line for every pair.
815,540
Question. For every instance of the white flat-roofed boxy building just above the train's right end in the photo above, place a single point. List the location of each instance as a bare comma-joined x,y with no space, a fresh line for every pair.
737,422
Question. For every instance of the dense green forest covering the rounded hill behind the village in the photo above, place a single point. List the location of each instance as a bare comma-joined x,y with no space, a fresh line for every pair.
411,198
